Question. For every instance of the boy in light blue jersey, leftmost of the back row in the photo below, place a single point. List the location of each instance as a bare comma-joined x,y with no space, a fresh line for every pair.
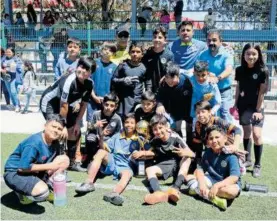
68,61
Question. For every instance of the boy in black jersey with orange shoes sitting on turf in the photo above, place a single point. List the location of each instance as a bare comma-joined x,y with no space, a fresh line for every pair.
170,153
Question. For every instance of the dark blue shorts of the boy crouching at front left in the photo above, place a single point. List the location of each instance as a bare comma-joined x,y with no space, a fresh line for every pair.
21,183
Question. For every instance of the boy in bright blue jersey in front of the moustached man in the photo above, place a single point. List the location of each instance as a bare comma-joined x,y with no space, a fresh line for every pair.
203,89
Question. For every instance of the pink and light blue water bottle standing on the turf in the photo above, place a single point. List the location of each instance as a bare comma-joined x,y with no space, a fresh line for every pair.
59,183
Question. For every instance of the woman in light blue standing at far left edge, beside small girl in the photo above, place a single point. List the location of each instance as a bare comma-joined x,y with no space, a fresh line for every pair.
12,68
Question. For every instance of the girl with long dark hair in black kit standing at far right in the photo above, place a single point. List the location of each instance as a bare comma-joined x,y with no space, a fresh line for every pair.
252,84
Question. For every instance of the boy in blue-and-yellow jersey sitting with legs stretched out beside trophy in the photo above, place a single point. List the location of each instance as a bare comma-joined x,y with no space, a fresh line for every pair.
114,159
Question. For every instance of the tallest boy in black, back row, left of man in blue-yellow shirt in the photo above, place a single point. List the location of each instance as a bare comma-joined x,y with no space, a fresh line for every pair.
156,58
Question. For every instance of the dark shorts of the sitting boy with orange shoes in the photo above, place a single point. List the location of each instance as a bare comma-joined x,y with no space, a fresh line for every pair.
169,168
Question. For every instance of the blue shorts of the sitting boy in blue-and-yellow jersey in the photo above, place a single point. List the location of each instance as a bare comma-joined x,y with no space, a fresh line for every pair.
112,169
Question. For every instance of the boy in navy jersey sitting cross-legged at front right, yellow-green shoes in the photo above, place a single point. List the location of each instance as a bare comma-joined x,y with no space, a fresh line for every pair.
217,176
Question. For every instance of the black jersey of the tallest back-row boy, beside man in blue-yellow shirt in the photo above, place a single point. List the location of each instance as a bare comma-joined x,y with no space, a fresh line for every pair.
155,64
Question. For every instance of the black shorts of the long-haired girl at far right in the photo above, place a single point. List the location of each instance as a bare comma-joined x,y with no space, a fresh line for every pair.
245,118
